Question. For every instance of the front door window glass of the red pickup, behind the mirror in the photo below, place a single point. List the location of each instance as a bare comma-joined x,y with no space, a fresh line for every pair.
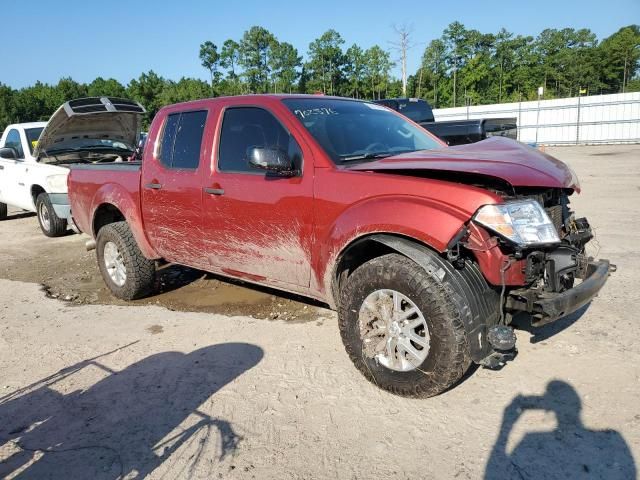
246,127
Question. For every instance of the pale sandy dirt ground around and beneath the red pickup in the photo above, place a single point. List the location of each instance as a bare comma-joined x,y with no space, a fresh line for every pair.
211,379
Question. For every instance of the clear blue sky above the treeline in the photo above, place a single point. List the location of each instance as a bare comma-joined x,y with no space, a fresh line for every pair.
46,40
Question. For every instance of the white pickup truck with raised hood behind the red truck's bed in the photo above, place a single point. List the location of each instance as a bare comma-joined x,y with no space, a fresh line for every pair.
35,157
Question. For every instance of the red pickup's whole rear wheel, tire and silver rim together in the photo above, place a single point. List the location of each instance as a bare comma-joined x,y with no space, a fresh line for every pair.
127,273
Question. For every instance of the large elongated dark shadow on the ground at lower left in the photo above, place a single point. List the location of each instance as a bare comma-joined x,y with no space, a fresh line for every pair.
125,424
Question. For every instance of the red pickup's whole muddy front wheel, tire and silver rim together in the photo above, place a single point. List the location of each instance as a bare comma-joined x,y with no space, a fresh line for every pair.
401,328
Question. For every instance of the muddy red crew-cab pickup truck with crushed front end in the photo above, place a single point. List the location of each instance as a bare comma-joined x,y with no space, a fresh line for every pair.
426,251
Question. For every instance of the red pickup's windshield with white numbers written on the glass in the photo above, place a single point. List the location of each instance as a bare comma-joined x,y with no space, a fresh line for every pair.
350,130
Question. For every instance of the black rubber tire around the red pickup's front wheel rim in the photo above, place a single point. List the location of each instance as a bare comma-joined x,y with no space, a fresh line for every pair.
448,357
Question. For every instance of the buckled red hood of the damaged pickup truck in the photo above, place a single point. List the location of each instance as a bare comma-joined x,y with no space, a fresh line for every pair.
498,157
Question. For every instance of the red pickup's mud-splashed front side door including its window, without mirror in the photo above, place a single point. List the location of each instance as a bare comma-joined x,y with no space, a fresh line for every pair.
255,224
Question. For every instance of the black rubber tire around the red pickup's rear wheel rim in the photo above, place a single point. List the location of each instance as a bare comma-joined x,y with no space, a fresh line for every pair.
140,270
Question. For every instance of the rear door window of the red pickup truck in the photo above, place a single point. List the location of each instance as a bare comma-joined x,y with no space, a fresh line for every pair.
182,139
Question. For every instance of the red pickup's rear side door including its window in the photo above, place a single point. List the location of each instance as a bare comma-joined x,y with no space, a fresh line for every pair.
171,186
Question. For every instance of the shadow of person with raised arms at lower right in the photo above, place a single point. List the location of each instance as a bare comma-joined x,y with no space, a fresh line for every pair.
569,451
